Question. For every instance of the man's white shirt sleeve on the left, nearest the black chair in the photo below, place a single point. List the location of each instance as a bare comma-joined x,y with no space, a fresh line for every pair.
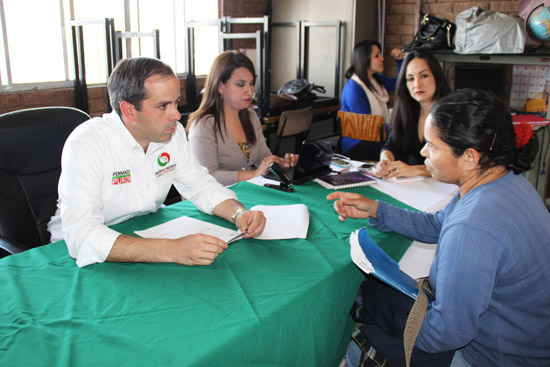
88,239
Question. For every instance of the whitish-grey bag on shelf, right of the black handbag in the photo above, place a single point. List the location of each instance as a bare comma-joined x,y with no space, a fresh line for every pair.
488,32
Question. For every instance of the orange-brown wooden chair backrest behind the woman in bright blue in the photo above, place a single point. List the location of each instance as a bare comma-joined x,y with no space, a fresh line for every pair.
363,127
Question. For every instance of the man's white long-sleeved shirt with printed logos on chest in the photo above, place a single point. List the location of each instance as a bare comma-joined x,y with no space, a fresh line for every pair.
107,178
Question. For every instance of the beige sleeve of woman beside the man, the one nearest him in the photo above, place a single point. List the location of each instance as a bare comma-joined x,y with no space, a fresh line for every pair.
204,145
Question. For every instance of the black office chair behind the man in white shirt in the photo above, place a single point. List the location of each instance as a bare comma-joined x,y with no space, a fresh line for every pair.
31,142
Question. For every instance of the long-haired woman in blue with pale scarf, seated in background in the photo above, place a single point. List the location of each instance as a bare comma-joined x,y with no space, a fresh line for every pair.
367,89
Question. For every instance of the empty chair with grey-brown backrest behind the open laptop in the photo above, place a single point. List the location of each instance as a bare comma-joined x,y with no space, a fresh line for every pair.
294,123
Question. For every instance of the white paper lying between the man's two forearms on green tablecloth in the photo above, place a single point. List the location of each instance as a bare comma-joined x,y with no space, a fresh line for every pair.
185,226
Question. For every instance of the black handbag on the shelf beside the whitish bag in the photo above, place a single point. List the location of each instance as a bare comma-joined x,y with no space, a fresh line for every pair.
433,34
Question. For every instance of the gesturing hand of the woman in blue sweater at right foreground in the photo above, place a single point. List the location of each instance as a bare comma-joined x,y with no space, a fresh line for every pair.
351,205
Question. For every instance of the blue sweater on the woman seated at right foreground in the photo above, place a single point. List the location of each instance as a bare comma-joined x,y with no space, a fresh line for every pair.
491,273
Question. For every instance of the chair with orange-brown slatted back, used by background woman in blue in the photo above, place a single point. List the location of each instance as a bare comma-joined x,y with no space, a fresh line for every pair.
371,129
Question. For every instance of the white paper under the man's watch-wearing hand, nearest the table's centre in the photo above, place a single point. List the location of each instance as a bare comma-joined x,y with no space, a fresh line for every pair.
284,221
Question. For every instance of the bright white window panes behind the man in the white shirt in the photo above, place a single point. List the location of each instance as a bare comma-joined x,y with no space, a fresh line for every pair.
39,42
